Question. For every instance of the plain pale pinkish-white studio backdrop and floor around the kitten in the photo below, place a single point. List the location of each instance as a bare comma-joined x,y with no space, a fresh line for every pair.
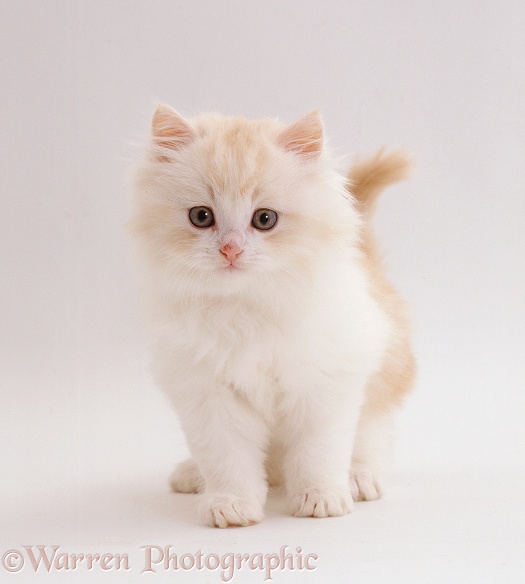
87,441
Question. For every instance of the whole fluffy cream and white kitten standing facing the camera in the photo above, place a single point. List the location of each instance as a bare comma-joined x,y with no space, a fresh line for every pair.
278,339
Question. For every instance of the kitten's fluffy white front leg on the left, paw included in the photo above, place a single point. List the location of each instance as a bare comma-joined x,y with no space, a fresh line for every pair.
227,439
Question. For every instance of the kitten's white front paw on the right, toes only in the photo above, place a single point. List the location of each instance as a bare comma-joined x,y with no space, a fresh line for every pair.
321,502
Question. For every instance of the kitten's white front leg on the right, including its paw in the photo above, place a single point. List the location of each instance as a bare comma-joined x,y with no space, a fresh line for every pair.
318,444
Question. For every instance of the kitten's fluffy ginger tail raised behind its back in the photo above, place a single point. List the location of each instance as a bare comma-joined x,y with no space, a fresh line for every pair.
368,178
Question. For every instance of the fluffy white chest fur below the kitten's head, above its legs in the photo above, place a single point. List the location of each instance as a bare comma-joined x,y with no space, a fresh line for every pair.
291,345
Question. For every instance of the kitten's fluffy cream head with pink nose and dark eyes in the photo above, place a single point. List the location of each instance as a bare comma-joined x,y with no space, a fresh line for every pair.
227,202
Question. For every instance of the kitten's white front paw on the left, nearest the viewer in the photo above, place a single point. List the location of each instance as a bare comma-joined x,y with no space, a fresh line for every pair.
230,511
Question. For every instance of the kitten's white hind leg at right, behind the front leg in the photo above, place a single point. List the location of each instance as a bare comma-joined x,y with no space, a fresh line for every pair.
372,448
